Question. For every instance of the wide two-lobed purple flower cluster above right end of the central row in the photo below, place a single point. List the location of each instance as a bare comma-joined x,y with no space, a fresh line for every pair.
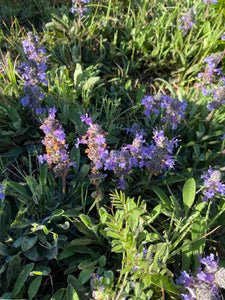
174,108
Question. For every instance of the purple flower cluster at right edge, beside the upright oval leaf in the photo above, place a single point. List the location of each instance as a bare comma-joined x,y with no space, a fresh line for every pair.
212,184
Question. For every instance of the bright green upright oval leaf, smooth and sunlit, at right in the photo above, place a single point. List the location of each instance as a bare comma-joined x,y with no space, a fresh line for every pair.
189,191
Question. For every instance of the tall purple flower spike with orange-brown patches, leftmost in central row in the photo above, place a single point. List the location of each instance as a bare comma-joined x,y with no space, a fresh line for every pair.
55,145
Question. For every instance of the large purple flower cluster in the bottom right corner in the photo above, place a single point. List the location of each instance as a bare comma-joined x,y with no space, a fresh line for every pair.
205,284
